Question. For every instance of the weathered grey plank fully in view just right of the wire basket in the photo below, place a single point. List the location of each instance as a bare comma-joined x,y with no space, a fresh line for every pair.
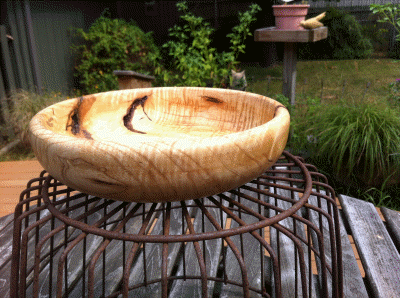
378,253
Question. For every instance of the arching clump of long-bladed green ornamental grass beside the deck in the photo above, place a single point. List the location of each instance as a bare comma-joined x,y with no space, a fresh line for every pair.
360,141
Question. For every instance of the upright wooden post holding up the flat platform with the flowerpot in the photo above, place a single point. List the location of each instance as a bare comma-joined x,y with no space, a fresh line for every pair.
289,71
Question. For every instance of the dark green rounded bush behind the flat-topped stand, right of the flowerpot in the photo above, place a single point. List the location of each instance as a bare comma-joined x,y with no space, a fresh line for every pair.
346,39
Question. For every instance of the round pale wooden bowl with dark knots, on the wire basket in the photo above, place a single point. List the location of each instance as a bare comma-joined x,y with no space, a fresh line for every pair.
160,144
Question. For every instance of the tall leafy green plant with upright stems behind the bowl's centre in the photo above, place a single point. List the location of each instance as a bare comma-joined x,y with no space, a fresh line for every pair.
194,61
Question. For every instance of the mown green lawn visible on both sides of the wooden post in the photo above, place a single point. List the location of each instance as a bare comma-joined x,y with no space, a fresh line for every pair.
334,80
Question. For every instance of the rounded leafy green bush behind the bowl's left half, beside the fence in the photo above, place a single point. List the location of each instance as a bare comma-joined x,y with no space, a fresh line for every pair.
113,44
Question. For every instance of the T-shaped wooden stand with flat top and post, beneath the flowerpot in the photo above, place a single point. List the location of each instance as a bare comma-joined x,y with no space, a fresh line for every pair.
290,38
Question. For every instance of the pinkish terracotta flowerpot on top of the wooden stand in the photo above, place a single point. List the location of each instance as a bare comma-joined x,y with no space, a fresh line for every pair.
289,16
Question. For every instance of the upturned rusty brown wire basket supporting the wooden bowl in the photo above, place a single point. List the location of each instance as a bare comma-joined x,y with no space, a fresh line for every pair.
276,236
